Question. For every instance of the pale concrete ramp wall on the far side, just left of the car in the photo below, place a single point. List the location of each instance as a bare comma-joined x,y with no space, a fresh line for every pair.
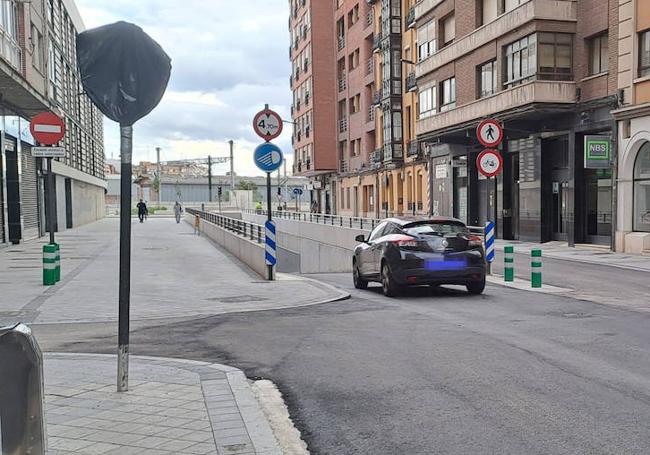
322,248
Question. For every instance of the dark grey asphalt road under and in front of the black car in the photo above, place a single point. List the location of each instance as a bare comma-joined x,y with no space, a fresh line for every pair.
509,372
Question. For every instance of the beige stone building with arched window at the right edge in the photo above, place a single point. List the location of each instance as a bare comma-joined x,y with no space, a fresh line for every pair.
633,117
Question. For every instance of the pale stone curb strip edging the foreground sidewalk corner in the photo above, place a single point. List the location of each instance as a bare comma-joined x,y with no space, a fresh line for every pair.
255,422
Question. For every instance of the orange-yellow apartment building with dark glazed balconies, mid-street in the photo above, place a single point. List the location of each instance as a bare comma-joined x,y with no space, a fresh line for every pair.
388,175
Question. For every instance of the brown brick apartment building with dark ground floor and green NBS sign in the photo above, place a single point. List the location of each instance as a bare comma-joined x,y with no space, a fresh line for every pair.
547,70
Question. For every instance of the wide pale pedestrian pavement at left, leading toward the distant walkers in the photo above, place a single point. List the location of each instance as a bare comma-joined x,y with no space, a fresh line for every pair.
174,274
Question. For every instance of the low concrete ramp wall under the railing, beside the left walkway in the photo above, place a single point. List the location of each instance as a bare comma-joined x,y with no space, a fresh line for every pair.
249,252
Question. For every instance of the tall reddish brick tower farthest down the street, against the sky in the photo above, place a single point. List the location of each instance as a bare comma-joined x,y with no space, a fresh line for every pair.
313,56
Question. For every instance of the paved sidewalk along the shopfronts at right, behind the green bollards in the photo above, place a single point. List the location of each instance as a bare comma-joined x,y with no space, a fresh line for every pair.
581,253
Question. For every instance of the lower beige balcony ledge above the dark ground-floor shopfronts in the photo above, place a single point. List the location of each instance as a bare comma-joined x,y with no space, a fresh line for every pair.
516,97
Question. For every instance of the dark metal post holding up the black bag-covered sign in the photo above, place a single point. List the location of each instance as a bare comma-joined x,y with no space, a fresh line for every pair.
126,150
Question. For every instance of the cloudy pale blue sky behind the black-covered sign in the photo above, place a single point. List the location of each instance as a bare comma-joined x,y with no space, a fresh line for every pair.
229,58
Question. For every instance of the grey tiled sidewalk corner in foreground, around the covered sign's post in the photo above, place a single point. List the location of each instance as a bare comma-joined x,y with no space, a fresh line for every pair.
172,407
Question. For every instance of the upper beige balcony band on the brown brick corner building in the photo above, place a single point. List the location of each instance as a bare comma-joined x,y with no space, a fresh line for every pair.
554,10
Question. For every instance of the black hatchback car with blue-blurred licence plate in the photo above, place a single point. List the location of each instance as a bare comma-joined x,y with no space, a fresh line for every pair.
409,251
